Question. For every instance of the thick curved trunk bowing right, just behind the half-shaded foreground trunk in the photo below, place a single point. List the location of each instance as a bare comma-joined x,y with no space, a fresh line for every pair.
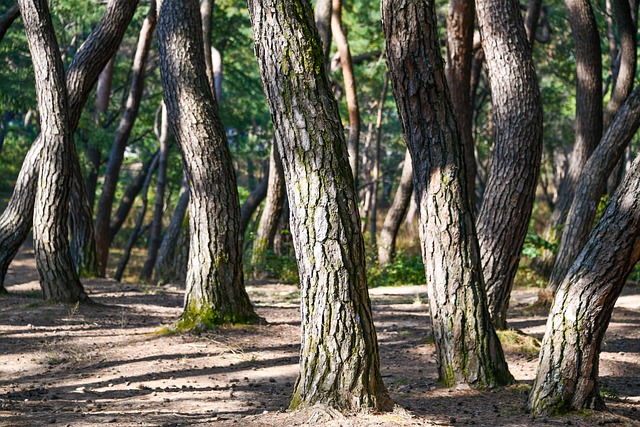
509,194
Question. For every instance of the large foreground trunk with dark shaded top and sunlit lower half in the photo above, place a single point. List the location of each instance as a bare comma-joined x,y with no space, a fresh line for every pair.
467,347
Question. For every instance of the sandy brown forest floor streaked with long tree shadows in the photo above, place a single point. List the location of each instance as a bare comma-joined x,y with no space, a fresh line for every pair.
67,365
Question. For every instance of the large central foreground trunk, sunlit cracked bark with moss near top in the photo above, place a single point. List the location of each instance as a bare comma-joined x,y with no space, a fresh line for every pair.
339,362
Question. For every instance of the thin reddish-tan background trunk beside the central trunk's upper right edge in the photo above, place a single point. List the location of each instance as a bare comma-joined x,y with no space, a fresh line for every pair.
342,43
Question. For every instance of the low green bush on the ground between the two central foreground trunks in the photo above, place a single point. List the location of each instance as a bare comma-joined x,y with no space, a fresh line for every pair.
403,270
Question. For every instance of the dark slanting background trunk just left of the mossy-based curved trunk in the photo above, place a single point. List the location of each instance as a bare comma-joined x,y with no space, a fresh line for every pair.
163,271
